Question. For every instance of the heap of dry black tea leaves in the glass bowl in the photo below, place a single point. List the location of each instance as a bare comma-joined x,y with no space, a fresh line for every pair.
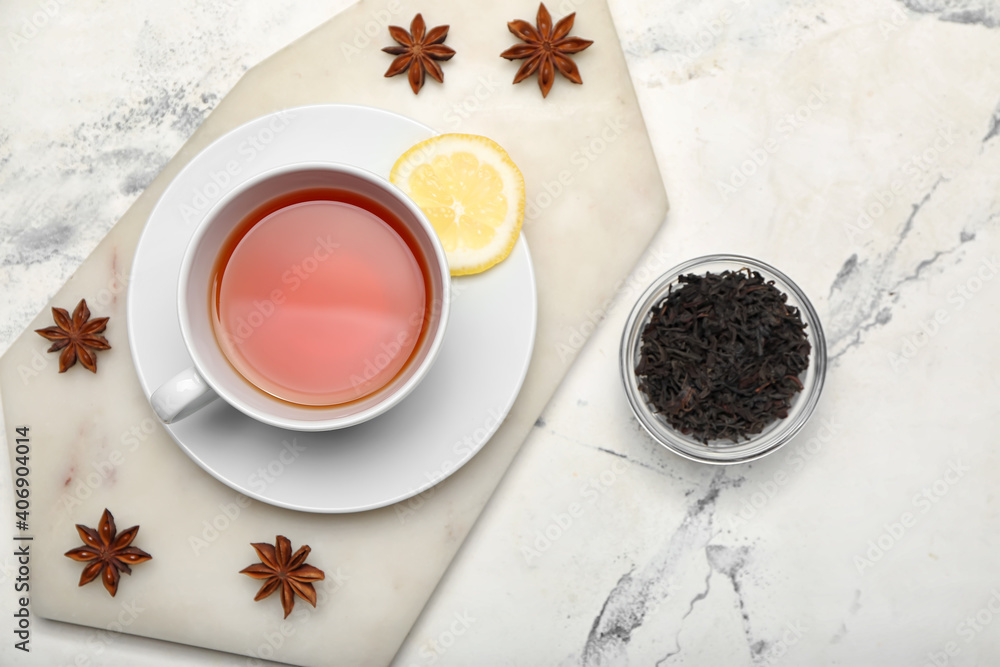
721,356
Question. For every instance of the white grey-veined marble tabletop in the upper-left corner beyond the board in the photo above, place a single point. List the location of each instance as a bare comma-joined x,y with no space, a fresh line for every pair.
97,97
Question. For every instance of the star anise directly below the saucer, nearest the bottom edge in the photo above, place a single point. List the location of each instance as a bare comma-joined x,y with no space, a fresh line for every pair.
278,566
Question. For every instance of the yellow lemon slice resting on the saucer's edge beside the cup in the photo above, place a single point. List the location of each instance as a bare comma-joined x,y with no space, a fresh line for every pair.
471,191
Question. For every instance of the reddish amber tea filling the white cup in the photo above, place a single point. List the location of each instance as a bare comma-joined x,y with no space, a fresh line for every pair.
318,296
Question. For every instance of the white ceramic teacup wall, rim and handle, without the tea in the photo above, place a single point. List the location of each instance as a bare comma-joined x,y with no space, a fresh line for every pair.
213,376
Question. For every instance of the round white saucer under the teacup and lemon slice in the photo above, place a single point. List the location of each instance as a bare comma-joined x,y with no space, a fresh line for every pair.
432,433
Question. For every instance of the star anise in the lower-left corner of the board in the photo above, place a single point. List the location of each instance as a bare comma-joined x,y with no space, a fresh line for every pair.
108,552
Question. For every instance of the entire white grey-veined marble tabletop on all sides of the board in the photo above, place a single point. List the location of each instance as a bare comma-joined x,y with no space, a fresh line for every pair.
887,107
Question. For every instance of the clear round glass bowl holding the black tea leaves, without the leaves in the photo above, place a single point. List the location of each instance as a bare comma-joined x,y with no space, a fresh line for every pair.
778,432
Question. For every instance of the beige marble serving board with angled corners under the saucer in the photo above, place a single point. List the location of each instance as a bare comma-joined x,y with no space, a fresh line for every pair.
595,198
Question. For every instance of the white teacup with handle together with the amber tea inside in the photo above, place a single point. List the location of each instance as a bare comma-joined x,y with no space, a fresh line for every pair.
313,296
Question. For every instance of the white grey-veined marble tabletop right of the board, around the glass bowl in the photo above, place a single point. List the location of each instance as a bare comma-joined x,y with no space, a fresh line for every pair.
854,145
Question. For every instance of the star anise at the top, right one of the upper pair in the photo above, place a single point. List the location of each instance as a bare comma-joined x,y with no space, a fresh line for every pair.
546,49
